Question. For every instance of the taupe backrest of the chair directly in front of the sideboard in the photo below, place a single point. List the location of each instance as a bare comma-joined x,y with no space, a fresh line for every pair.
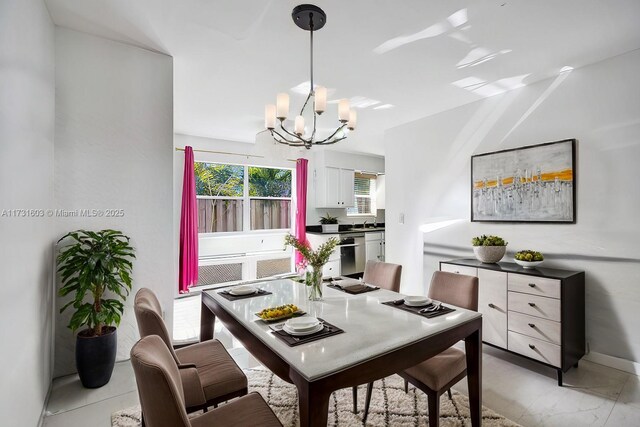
456,289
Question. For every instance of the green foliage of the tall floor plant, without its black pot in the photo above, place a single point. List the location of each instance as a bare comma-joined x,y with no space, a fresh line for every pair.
95,262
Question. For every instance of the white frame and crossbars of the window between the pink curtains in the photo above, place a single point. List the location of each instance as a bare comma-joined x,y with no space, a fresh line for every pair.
246,205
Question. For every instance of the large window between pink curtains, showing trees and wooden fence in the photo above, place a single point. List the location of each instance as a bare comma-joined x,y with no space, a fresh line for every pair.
242,198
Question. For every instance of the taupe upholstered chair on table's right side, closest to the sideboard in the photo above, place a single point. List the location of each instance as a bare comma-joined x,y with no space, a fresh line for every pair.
438,374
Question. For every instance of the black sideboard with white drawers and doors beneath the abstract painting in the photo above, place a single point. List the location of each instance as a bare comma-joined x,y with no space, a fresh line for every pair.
536,313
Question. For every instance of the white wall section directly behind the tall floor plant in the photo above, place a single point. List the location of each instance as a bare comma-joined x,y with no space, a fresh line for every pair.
114,150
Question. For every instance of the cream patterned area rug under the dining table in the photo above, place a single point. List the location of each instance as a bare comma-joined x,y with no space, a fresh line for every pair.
390,405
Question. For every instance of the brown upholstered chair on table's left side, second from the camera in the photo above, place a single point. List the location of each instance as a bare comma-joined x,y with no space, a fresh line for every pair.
209,374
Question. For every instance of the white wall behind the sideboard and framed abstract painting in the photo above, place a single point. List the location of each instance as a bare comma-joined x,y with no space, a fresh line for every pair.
428,175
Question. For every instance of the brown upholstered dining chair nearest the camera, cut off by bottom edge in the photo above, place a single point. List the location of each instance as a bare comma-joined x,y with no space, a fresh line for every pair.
162,397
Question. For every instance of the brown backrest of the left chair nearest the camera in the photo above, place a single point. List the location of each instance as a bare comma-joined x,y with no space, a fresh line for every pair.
159,384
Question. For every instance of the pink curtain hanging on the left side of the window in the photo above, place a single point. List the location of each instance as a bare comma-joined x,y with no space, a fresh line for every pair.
188,226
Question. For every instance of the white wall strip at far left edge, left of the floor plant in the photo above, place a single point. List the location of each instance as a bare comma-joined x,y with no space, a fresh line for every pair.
26,182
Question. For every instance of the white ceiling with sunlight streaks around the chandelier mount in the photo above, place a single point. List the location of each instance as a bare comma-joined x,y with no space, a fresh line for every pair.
231,57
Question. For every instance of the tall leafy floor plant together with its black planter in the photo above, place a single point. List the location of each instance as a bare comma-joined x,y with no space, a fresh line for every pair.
93,264
